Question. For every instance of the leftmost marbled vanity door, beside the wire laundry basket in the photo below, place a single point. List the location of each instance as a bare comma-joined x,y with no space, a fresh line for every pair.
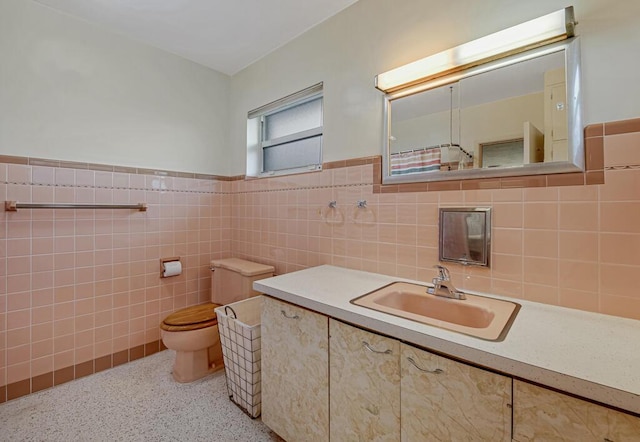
295,371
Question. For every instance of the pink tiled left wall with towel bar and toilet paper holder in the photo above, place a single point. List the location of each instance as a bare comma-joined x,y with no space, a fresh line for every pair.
76,285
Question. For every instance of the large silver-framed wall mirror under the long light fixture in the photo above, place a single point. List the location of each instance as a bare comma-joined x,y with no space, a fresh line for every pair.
519,115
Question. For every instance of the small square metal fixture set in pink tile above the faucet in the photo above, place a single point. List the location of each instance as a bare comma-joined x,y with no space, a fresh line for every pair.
465,235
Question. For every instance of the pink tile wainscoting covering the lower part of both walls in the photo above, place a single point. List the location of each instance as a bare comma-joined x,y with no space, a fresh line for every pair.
80,290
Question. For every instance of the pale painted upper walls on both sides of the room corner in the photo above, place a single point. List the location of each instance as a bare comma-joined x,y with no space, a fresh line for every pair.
70,90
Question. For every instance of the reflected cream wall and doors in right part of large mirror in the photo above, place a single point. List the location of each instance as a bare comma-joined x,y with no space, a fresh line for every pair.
507,118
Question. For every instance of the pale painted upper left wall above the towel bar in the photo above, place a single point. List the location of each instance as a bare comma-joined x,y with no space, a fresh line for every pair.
70,90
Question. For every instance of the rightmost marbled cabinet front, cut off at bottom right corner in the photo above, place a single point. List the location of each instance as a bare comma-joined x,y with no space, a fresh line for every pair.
543,415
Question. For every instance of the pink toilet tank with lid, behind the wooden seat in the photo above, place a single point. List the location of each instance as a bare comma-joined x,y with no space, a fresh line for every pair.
232,279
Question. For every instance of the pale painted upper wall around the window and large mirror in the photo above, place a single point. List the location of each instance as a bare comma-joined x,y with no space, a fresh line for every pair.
373,36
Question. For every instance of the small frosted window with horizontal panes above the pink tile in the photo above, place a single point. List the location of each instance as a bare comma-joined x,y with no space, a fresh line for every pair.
286,136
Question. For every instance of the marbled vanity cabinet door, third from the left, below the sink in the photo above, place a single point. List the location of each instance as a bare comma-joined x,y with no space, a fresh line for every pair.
444,399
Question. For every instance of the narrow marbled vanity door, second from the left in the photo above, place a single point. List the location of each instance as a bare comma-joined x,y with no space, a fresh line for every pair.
364,387
